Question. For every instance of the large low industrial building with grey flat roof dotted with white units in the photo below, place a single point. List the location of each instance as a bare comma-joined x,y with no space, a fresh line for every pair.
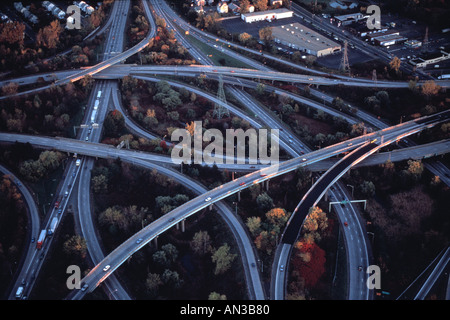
301,38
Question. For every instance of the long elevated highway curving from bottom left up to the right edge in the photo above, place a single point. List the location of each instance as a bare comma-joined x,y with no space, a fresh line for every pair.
126,249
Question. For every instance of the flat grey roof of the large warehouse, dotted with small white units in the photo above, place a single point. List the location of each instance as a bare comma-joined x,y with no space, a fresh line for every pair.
297,33
